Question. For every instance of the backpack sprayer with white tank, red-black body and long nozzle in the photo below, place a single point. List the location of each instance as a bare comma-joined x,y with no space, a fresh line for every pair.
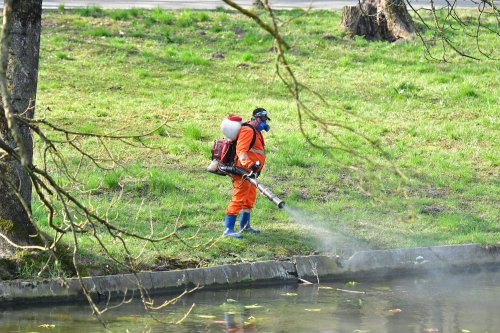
223,153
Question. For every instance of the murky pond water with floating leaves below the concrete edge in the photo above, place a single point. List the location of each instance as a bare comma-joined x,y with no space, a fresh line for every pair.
446,303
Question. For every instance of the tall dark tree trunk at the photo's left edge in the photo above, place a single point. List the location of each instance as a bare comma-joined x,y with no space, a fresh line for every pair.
22,75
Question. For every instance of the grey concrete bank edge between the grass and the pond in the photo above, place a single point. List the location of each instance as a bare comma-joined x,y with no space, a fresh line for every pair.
361,265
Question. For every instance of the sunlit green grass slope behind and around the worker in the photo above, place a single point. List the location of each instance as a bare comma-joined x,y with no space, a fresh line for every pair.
135,69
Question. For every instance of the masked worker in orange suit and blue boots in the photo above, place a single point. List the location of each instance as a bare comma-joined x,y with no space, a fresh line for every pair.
251,155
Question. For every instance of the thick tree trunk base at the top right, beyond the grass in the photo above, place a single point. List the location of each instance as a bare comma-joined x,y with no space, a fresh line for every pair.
379,19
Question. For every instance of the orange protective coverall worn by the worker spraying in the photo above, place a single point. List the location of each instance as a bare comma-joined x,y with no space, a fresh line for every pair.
244,193
